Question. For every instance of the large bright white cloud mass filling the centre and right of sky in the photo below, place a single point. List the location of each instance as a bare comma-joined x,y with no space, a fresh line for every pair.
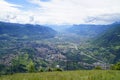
75,11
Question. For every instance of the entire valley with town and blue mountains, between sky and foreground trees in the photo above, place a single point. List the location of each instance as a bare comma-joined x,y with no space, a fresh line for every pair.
79,45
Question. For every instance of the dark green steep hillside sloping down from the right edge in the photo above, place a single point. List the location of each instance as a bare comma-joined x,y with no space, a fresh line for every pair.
110,40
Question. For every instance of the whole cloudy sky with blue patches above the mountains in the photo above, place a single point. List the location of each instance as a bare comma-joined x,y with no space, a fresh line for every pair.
60,11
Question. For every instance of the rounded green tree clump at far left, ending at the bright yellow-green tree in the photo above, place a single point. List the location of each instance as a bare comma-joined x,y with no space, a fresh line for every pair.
21,63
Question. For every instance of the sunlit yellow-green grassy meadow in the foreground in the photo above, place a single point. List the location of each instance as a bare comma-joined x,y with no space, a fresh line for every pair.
66,75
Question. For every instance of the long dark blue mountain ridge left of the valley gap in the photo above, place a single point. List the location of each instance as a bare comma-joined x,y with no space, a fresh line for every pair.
25,31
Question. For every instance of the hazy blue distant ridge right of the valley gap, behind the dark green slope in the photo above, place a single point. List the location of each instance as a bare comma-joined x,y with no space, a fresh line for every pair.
88,29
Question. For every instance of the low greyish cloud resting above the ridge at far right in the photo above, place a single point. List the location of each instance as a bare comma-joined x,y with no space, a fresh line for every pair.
103,19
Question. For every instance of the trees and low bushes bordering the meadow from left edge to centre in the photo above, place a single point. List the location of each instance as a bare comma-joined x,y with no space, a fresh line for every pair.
24,64
